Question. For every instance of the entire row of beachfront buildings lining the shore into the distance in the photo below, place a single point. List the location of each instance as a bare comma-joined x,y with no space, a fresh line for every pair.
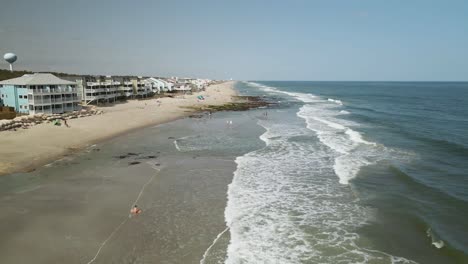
46,93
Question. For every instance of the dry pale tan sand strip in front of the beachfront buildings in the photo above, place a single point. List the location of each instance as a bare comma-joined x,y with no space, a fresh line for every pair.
23,150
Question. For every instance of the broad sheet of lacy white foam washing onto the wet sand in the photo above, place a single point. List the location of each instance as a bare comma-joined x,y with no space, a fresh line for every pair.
285,205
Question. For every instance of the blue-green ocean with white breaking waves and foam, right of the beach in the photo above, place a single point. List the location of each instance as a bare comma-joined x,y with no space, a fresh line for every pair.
354,172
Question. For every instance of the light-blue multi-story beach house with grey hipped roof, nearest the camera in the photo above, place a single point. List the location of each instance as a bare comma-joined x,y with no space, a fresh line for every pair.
40,93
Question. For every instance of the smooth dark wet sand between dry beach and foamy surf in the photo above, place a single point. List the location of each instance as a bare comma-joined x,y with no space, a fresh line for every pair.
64,212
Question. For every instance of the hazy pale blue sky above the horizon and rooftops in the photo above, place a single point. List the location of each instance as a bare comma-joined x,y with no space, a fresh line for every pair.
255,40
